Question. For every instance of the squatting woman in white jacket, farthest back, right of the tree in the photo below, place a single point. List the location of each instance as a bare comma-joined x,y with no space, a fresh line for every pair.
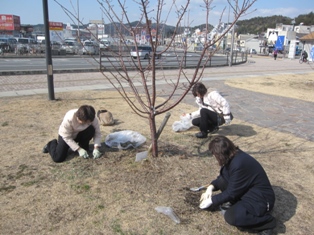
214,110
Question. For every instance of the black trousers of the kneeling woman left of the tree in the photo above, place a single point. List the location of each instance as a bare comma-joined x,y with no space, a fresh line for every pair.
58,150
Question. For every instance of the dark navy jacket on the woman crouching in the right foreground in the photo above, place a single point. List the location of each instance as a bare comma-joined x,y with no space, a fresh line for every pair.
247,181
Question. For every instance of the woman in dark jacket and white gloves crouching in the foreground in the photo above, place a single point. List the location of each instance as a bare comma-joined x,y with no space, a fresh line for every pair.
244,186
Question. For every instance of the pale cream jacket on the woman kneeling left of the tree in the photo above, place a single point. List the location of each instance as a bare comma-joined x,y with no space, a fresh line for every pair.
70,127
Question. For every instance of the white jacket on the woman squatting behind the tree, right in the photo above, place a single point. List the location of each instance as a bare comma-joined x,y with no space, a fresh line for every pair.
214,102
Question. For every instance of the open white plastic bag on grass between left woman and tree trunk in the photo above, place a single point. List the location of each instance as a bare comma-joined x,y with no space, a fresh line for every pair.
124,139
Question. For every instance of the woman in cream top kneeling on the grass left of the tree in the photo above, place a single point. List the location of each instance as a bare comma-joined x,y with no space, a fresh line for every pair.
78,127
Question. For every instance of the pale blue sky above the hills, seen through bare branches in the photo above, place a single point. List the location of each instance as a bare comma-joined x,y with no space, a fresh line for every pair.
31,11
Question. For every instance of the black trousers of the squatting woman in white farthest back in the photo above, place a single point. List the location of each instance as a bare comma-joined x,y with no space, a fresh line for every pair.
207,122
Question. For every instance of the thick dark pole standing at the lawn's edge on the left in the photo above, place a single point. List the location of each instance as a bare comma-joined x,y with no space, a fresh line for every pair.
48,52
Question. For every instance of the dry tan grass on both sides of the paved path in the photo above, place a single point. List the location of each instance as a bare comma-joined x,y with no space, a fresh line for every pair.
116,195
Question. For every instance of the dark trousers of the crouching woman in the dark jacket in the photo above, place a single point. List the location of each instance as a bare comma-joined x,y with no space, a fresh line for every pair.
239,214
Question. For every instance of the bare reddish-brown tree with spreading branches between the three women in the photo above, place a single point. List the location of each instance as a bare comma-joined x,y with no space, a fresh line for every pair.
142,83
